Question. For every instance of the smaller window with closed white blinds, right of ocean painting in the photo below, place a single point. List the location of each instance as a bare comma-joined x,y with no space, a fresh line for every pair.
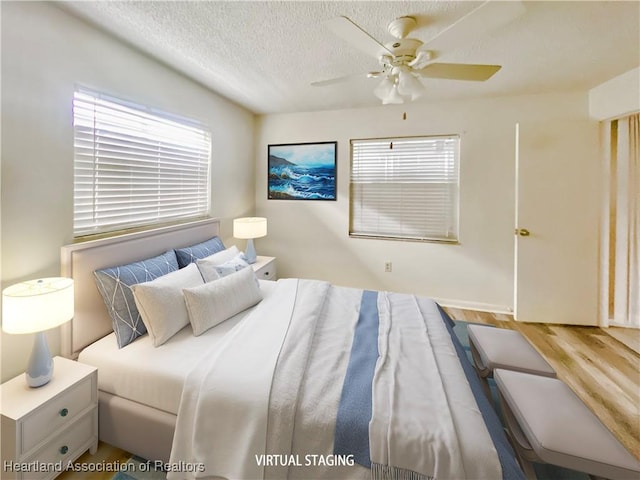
405,188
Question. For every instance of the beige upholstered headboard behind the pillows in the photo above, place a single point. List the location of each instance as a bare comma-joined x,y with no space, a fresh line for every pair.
91,320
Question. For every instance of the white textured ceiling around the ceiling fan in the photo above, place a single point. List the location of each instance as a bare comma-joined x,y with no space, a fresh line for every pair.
264,55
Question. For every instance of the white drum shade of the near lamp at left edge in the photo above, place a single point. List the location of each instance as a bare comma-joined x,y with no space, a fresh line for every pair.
37,305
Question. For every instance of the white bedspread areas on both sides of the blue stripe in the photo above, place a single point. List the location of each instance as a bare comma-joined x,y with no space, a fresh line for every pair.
238,406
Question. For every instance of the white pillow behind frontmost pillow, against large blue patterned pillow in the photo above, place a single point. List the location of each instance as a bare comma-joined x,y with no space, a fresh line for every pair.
161,302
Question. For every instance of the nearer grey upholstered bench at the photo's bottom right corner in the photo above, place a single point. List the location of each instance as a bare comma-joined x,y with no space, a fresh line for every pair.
547,422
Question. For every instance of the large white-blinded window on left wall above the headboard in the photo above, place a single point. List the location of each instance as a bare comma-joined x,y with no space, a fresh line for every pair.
135,166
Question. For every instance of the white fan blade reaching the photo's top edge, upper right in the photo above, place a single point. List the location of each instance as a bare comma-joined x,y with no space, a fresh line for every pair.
489,16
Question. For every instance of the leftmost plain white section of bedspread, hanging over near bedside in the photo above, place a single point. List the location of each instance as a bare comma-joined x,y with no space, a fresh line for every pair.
222,419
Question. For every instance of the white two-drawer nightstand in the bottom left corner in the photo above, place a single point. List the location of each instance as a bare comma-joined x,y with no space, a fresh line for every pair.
45,428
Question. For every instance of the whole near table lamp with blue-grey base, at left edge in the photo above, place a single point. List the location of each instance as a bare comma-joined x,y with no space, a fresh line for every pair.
33,307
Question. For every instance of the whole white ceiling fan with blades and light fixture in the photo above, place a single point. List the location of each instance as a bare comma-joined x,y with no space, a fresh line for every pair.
404,61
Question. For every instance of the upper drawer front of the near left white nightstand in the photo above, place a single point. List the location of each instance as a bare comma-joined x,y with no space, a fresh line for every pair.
56,414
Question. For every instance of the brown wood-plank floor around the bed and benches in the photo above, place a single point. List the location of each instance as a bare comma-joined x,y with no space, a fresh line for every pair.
602,370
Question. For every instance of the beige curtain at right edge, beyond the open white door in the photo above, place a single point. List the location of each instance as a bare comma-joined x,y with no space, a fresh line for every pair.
620,253
